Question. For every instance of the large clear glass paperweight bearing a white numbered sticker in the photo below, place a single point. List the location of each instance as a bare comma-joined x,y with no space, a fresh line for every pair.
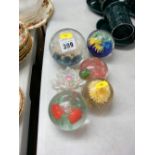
68,47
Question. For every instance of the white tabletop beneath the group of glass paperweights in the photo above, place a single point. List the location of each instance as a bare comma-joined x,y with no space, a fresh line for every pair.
111,133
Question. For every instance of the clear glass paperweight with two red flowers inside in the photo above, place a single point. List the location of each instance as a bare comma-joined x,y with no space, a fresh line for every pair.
68,110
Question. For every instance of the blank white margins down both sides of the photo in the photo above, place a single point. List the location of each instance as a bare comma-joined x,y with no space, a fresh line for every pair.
9,81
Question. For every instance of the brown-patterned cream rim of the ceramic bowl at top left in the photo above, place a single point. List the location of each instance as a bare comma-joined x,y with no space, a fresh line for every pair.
44,13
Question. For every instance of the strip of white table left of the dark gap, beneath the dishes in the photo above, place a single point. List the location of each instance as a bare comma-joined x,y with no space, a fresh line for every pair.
25,70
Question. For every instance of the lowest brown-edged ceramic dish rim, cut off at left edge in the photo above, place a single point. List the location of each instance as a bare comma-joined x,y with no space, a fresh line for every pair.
21,102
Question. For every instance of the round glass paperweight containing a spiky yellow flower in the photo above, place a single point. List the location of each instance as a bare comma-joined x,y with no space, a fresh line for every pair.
97,92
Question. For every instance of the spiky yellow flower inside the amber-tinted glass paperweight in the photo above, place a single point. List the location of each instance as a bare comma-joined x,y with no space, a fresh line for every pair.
99,91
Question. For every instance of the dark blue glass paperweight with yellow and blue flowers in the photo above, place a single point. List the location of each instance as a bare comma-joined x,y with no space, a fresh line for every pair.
100,43
